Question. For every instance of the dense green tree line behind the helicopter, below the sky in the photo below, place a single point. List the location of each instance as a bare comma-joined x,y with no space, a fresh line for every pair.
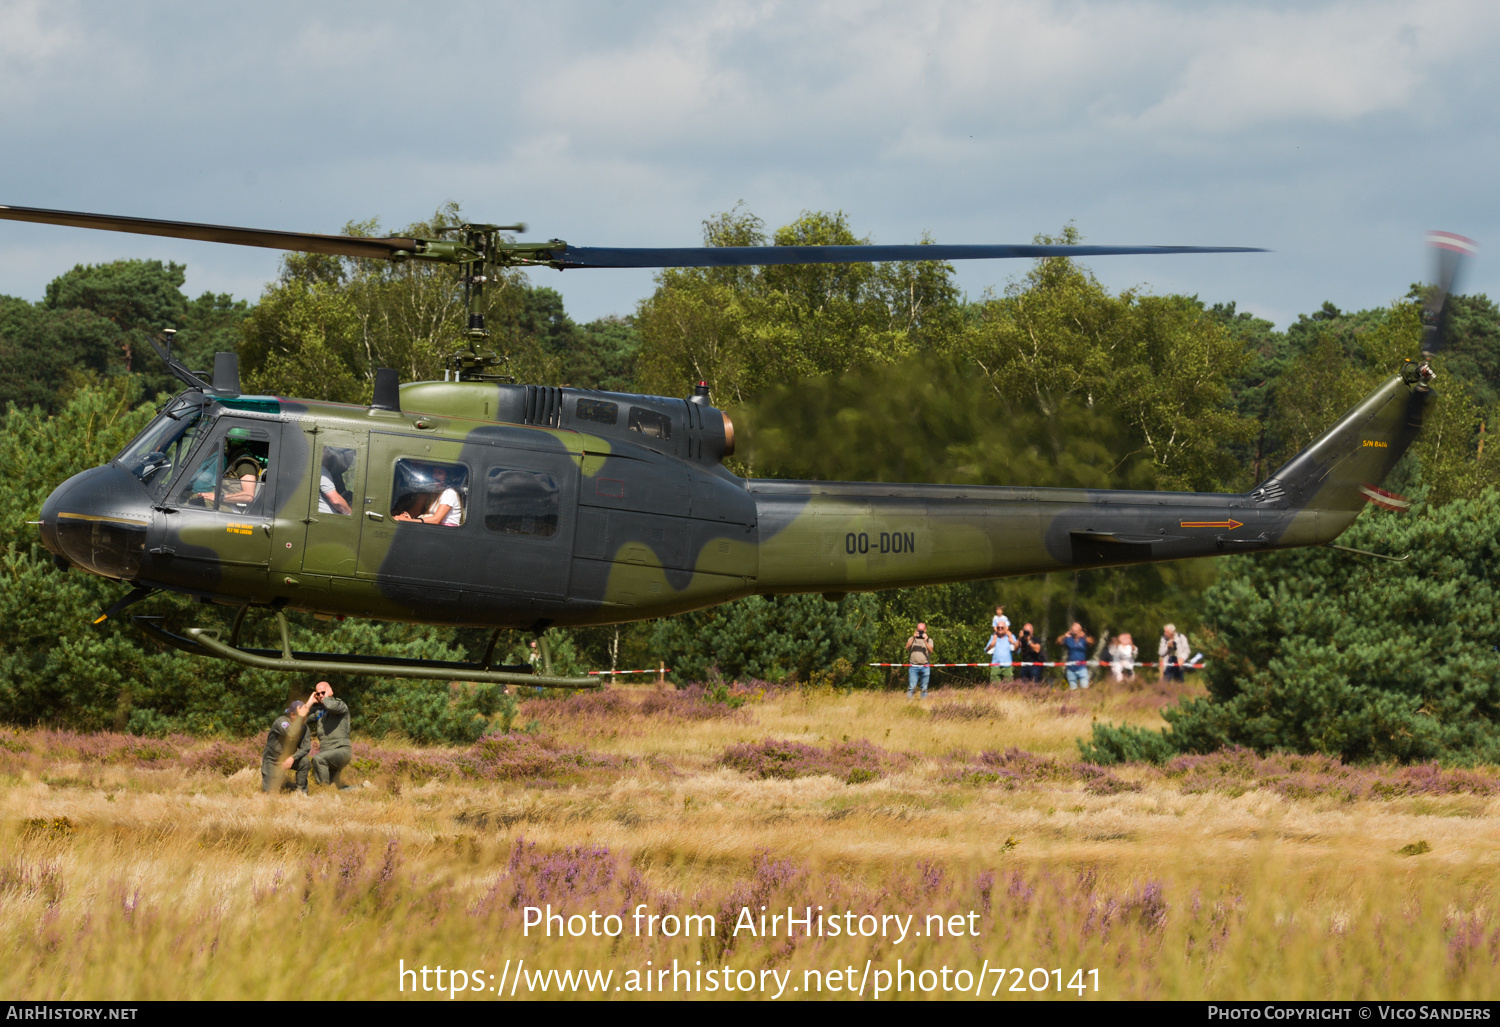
880,373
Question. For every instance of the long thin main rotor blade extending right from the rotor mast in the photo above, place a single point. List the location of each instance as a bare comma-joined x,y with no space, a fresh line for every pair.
761,256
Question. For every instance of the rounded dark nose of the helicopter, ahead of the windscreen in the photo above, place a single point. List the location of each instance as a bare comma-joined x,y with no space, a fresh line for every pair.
97,521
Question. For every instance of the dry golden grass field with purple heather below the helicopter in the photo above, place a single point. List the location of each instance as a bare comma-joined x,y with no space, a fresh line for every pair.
155,869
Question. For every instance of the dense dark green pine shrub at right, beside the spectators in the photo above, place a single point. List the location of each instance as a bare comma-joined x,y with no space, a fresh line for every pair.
1318,651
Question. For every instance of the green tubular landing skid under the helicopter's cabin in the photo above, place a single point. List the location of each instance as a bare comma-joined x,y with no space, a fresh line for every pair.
205,642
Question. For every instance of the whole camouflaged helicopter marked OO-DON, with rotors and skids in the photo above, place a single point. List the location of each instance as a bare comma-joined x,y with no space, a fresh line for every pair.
482,503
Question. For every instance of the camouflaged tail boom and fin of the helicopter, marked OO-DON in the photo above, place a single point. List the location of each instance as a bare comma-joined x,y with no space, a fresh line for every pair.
848,537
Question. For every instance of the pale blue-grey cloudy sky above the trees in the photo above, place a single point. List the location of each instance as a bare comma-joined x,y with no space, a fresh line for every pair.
1333,134
